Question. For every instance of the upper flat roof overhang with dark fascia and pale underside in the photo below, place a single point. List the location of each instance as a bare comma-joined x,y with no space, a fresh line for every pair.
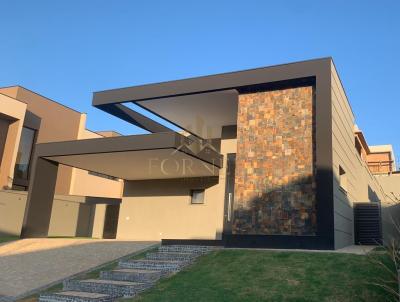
210,99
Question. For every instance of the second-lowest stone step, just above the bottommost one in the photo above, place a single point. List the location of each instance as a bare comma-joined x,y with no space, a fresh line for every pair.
110,287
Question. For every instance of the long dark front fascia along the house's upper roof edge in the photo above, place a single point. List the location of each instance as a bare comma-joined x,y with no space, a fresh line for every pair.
218,82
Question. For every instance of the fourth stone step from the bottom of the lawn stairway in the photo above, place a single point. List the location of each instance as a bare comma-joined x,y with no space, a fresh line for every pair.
161,265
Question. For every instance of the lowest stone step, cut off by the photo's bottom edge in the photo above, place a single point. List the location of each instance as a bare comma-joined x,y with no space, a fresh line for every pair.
75,296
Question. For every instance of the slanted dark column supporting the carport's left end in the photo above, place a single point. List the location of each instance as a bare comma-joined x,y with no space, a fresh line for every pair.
40,198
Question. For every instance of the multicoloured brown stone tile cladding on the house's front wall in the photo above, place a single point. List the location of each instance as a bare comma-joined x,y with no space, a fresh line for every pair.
275,162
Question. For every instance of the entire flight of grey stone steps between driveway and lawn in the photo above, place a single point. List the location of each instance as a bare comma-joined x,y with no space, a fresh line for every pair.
130,278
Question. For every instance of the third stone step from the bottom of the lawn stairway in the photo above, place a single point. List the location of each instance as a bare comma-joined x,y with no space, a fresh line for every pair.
135,275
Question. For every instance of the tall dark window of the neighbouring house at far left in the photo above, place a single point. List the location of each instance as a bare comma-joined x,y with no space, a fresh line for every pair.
25,147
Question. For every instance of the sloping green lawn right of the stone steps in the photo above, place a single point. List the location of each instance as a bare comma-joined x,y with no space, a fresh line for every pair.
244,275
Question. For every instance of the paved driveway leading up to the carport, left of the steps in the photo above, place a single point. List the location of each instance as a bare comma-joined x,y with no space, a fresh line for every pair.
28,264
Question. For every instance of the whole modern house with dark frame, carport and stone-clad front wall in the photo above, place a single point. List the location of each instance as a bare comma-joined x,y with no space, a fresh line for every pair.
267,157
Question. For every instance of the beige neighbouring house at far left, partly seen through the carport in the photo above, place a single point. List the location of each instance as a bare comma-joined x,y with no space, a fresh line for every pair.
27,118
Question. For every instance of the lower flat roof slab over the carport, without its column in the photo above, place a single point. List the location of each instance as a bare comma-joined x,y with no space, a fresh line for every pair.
136,157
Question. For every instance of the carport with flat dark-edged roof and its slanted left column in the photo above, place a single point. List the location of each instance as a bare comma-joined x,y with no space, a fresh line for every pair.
159,155
